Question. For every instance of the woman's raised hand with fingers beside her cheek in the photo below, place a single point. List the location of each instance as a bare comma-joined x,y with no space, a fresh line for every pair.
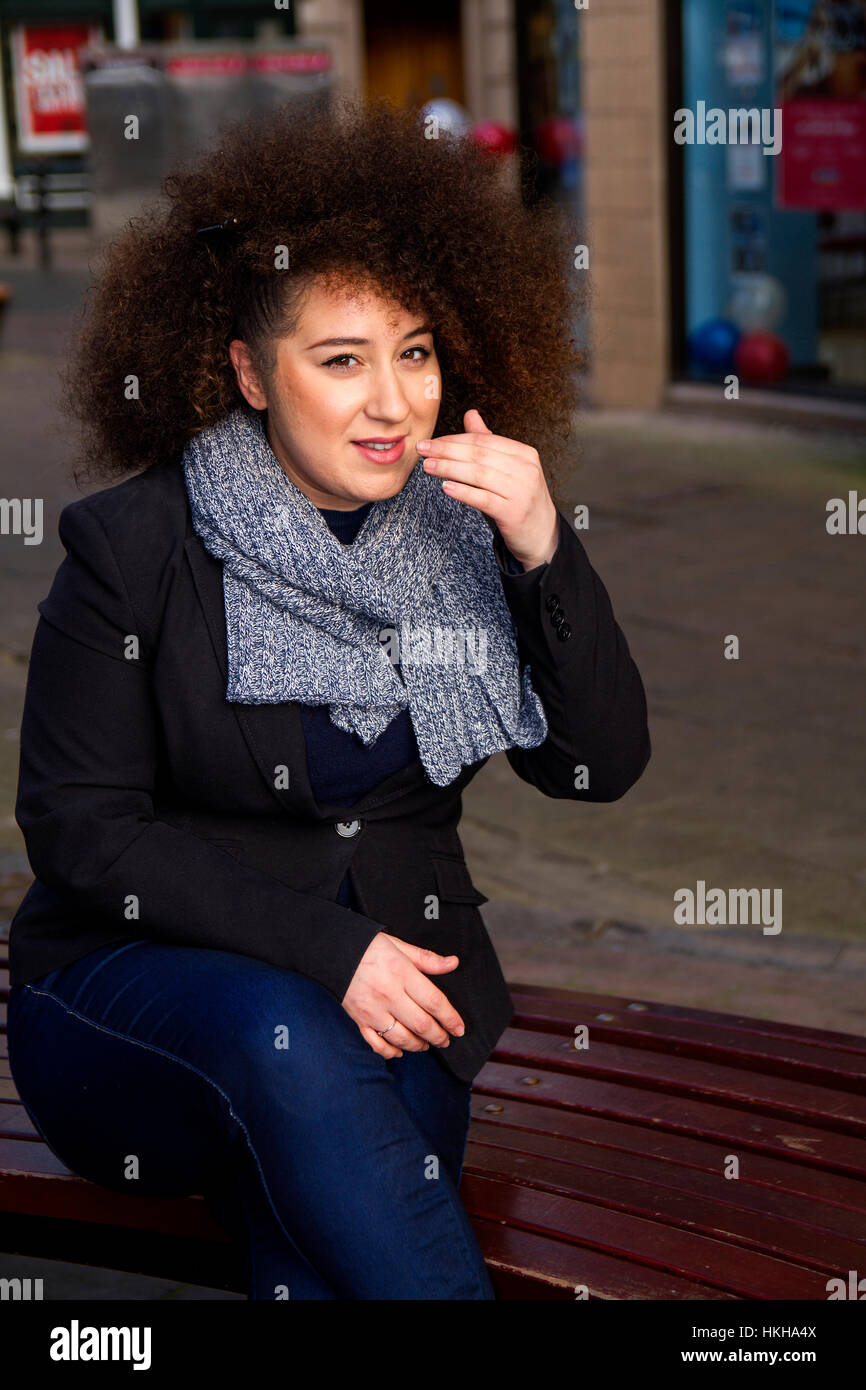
505,480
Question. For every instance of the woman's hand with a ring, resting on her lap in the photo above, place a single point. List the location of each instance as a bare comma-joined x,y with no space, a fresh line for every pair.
391,983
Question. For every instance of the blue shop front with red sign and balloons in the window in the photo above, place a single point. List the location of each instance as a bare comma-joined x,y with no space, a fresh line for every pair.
772,287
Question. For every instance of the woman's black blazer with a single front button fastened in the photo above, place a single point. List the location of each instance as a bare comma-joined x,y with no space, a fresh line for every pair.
152,807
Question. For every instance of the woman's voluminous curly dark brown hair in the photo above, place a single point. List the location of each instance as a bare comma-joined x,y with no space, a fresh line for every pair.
351,190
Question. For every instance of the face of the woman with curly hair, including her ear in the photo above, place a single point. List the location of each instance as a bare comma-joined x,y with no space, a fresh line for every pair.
358,369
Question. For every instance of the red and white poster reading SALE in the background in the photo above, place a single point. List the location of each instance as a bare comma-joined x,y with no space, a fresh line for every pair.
49,90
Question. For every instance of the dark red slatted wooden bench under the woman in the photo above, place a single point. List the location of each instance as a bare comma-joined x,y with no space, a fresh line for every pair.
600,1170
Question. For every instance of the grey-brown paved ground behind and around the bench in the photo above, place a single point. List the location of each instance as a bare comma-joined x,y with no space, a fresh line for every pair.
700,530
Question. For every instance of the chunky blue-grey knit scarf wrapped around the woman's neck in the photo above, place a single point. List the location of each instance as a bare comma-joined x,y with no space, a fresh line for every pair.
412,614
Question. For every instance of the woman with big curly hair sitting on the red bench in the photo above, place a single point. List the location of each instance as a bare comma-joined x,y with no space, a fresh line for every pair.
252,964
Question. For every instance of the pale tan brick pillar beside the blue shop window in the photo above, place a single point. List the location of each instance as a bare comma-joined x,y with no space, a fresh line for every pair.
625,165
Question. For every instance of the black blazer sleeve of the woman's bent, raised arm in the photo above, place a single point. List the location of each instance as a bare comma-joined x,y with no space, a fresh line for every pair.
583,673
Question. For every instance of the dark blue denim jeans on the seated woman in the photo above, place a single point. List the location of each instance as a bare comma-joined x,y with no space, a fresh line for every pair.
168,1071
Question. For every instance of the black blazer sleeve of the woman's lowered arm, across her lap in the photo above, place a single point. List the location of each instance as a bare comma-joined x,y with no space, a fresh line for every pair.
90,757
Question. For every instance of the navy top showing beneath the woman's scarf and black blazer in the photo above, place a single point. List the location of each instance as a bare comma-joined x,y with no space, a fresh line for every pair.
341,768
